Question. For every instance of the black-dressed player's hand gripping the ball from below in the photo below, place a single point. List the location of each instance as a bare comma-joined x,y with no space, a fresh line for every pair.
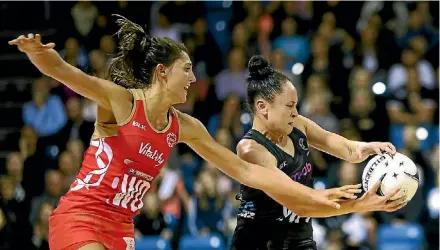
371,201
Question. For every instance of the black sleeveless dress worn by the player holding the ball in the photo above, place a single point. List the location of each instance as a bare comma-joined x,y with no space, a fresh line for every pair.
262,223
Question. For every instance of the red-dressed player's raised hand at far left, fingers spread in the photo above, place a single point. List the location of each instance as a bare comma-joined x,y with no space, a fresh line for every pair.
31,44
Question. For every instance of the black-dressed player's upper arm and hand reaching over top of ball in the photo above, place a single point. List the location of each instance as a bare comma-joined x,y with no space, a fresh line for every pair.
338,146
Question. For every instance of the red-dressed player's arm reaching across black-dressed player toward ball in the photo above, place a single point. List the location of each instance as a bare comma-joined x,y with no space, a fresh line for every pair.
271,180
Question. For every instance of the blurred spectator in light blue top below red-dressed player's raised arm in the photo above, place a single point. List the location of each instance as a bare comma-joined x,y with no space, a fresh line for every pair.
45,113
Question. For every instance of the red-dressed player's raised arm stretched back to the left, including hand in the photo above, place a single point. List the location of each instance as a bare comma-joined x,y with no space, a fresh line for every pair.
49,62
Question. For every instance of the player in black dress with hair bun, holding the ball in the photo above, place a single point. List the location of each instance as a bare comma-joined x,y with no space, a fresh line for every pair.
280,138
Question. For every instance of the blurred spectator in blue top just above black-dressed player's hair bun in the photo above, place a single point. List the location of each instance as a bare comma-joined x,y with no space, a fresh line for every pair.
295,47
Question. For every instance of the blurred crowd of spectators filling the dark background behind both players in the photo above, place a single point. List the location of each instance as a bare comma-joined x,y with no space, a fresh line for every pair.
366,70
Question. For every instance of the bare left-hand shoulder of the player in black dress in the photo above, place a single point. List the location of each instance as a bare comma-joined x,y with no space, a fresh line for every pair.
253,152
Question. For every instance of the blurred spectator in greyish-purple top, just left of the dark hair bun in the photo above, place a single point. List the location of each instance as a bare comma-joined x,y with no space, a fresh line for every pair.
233,79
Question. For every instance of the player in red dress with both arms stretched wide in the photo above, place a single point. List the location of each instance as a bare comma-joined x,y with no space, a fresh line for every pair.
135,131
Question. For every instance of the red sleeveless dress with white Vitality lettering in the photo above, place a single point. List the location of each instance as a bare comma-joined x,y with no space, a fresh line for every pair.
108,191
